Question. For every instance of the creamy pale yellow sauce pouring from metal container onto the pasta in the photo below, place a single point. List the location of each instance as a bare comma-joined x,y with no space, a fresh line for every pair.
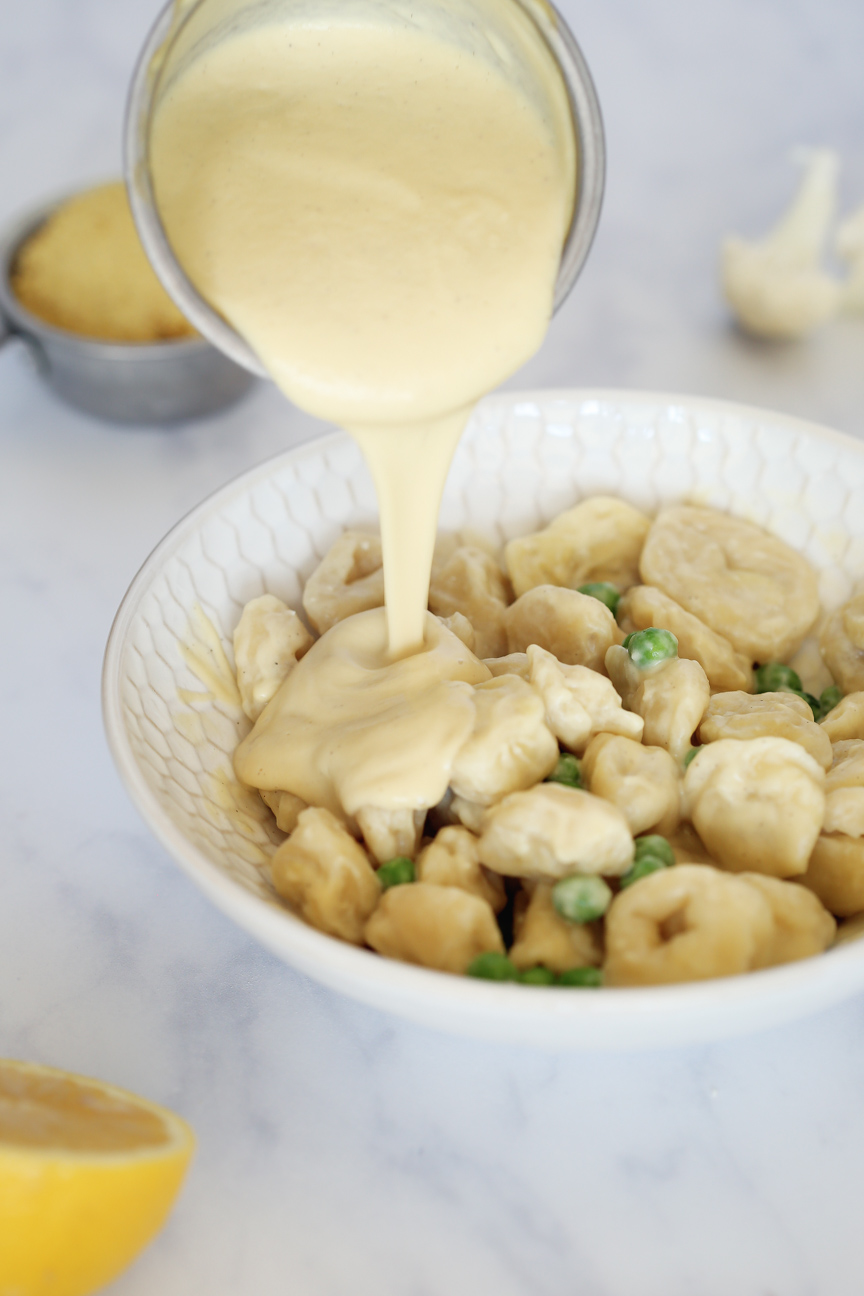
380,211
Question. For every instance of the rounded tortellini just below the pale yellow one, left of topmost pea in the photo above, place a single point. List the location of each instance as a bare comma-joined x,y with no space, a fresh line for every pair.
574,628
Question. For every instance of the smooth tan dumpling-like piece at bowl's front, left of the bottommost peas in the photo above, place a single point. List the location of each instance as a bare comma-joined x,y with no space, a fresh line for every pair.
436,927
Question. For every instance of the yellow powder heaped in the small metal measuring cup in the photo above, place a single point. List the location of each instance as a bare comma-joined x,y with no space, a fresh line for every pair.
85,272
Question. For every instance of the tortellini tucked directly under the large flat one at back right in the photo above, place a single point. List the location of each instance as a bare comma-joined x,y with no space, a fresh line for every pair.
644,606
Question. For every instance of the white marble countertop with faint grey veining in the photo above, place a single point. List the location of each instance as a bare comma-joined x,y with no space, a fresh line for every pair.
340,1150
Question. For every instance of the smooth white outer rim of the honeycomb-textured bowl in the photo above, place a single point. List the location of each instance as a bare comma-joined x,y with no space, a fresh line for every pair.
462,1000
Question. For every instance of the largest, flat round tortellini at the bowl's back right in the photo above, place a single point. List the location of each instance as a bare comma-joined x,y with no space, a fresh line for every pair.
743,583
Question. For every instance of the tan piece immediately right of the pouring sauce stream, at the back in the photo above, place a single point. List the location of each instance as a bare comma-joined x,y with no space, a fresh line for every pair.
472,583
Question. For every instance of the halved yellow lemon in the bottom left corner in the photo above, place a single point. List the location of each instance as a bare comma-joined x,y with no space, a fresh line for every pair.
89,1175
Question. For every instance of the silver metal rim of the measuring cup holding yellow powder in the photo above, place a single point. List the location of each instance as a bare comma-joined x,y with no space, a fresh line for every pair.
25,325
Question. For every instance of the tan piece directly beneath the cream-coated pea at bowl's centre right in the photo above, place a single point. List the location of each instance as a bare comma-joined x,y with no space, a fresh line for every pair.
672,698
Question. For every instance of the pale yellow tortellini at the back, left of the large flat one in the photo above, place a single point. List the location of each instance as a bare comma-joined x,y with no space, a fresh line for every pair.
599,540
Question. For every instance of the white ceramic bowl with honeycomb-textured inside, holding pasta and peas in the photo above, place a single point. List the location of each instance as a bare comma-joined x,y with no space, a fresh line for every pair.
523,461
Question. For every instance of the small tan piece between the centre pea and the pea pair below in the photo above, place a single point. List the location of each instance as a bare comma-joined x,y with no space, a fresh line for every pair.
643,782
